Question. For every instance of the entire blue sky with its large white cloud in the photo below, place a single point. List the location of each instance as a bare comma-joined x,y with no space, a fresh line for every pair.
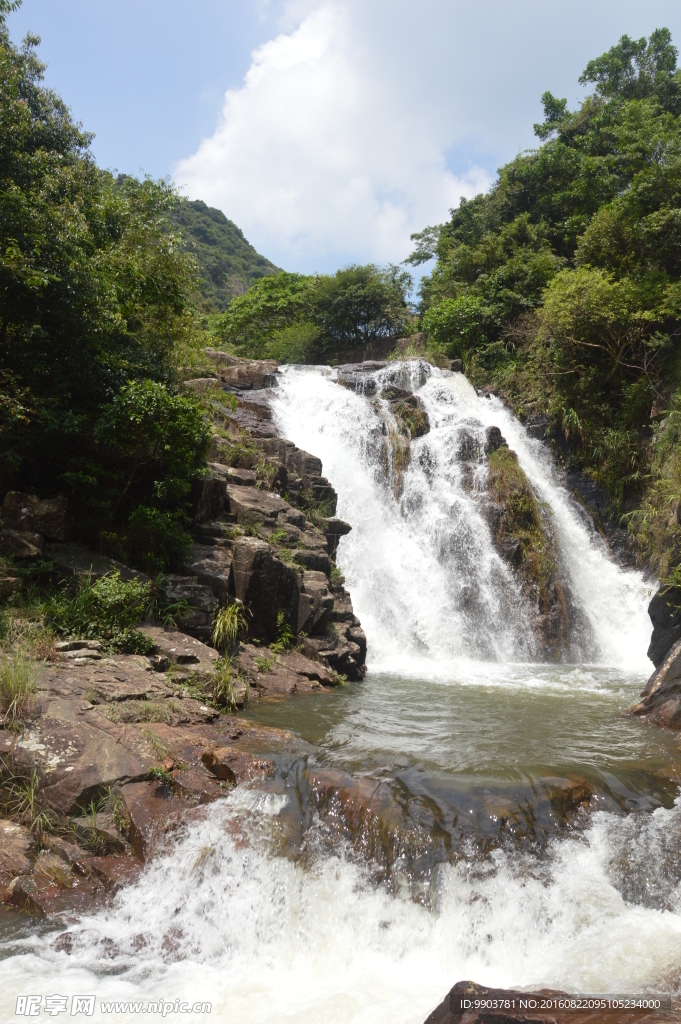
329,132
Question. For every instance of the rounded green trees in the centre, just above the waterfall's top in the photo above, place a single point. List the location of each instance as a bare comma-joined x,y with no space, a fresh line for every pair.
292,318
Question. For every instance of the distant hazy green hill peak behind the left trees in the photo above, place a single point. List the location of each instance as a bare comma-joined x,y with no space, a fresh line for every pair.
228,264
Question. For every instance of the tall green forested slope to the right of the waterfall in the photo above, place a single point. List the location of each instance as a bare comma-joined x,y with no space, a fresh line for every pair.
561,287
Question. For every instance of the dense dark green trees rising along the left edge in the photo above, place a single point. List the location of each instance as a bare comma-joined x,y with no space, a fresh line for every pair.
95,286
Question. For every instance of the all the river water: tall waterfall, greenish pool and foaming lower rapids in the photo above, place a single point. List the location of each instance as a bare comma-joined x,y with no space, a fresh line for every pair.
459,718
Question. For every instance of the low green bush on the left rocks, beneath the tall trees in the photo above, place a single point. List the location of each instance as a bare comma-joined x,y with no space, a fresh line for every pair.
107,611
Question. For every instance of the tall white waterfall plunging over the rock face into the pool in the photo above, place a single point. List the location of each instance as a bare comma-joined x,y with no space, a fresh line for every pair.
428,583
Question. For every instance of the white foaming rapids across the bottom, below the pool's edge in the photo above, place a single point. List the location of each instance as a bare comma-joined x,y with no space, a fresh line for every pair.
266,940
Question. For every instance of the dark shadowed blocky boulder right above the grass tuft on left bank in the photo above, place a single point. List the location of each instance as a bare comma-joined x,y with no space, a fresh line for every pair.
266,585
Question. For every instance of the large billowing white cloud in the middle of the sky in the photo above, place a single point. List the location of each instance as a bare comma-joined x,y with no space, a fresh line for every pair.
320,157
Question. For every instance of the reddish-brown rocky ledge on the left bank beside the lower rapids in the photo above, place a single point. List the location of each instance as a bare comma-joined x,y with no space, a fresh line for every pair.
120,751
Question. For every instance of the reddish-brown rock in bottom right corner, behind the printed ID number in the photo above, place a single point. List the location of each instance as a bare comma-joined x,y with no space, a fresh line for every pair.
472,1004
